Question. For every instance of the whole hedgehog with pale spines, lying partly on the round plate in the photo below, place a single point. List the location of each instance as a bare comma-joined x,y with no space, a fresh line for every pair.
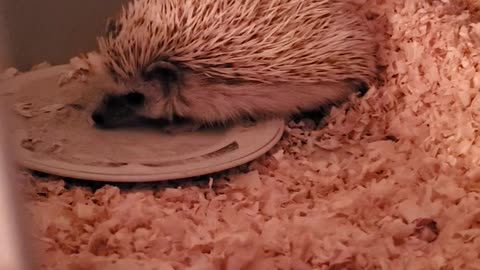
214,62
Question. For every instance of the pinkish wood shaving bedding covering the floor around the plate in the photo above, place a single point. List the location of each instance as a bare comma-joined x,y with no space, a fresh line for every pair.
391,181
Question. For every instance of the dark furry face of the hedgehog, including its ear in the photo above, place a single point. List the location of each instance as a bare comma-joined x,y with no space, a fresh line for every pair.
151,95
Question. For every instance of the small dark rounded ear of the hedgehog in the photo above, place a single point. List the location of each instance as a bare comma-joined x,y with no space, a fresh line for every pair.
163,72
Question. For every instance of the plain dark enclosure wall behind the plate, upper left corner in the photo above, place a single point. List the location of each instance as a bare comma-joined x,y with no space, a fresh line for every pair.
54,30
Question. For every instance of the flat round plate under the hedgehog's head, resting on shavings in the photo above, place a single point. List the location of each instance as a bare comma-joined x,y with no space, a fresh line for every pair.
53,135
